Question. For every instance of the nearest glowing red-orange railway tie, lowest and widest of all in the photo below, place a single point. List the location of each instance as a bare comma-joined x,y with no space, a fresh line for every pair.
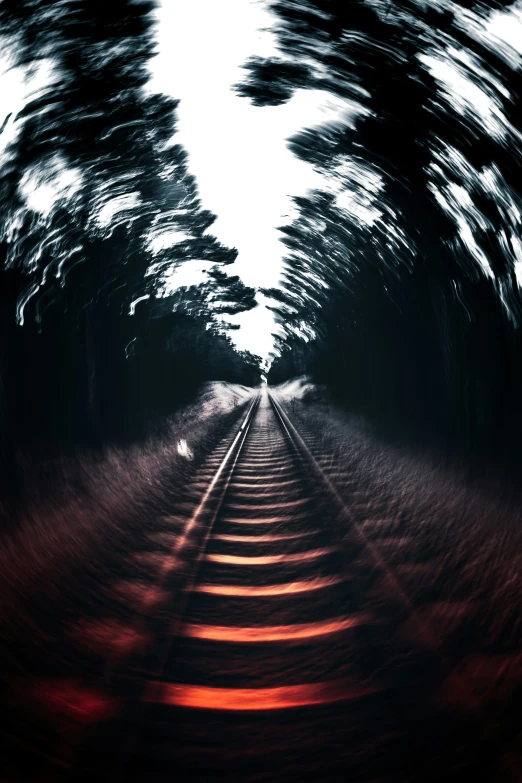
239,699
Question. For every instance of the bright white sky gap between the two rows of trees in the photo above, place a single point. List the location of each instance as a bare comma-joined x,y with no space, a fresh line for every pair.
237,152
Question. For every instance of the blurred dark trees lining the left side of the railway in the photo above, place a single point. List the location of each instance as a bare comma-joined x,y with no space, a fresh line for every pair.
94,346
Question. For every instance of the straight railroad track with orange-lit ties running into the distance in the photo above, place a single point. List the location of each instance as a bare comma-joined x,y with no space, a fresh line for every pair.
278,643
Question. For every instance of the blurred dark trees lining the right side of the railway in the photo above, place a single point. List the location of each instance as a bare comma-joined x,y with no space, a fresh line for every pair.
401,289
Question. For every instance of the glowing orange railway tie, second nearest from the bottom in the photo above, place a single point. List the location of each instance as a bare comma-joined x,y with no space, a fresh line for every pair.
274,633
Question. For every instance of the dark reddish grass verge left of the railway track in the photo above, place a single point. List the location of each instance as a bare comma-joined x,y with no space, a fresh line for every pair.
84,509
